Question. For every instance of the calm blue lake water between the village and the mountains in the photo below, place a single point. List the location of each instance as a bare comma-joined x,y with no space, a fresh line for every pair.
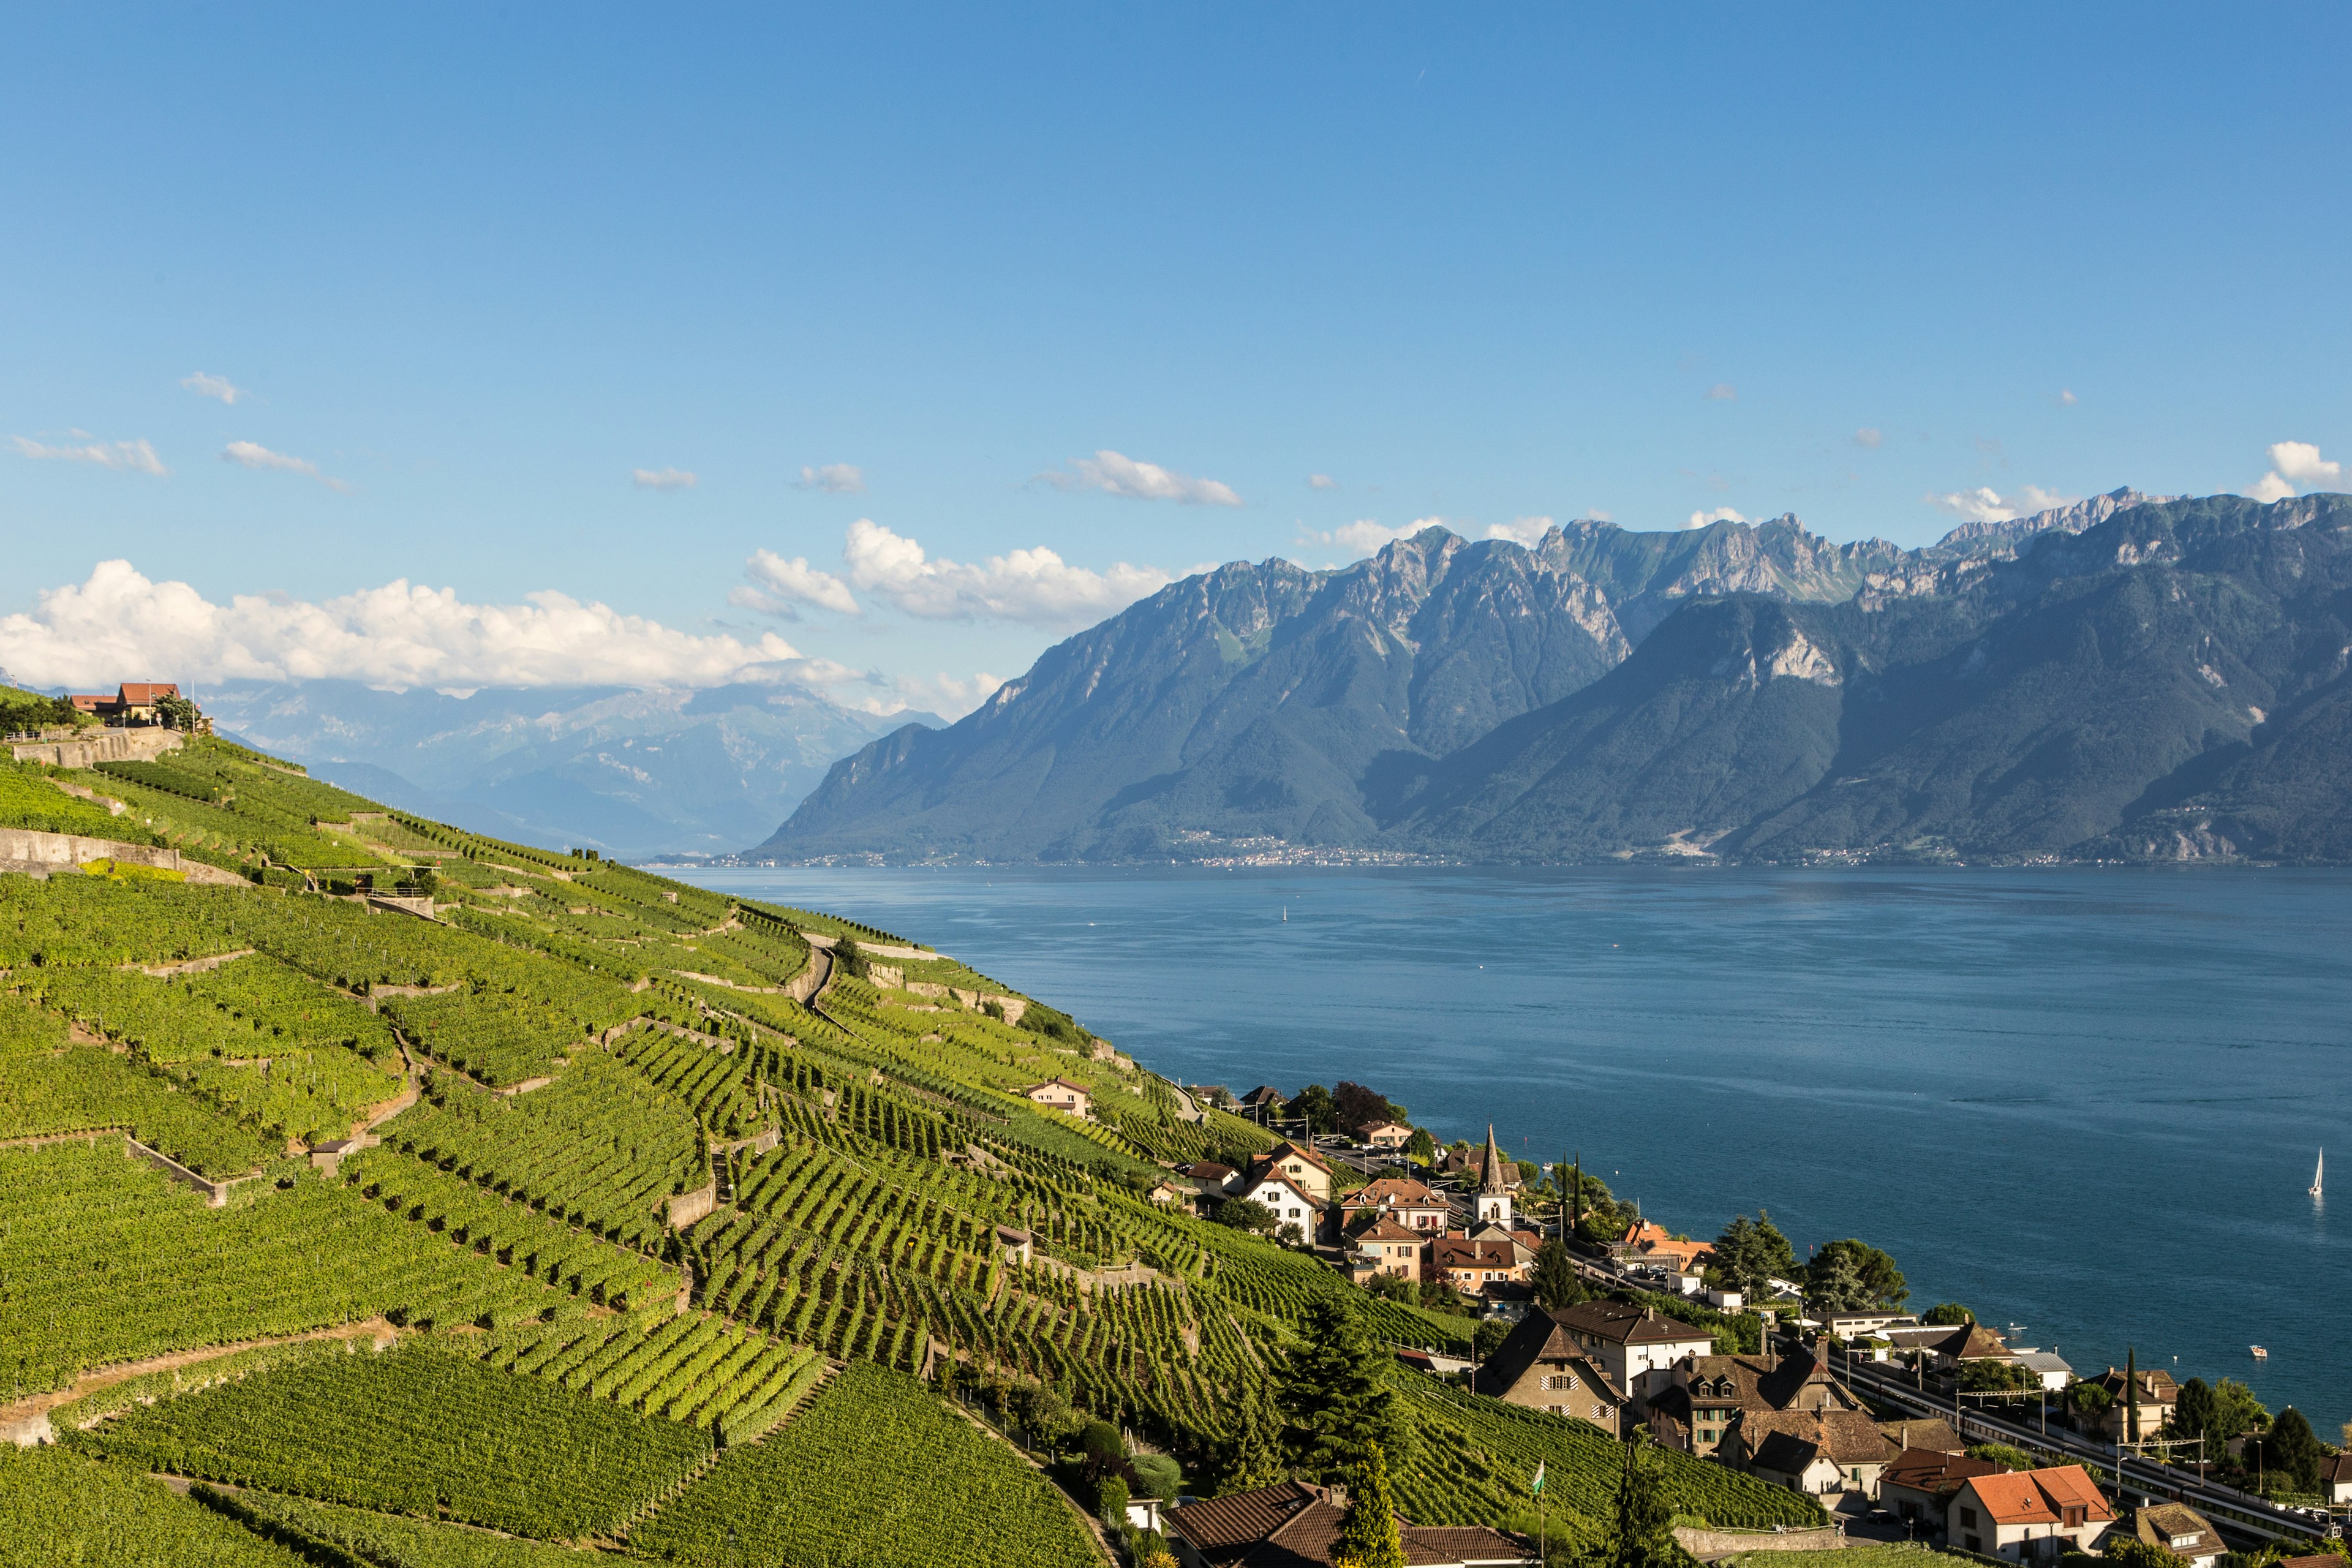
2078,1101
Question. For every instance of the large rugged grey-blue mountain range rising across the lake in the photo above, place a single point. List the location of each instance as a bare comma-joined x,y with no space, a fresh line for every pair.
2120,678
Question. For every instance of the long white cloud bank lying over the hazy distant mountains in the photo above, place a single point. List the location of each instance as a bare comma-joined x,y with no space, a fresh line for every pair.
399,636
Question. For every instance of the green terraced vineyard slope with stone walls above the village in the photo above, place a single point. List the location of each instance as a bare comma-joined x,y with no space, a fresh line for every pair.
650,1247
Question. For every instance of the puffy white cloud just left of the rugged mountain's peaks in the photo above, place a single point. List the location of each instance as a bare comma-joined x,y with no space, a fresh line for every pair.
1034,587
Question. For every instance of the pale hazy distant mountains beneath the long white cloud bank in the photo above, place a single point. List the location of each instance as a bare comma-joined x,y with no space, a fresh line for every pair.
603,768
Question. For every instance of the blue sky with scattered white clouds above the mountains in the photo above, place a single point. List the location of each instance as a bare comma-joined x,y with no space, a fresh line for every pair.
469,276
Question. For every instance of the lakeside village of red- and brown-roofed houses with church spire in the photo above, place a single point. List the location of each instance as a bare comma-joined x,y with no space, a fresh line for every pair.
1904,1426
